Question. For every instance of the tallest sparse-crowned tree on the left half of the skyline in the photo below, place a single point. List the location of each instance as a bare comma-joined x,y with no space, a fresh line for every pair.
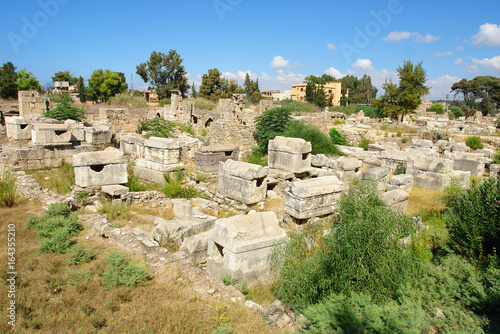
164,72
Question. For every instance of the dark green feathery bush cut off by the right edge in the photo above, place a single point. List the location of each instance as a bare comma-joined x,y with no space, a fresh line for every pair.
473,220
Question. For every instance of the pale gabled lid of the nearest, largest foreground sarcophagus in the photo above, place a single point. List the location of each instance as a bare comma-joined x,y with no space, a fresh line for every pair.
245,233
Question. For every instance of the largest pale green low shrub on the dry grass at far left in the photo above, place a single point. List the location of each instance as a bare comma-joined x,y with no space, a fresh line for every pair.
55,228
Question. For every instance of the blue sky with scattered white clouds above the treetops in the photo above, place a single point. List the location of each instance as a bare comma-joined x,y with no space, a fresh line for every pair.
280,42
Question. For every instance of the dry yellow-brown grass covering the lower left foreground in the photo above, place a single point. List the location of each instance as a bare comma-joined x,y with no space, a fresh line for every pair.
48,301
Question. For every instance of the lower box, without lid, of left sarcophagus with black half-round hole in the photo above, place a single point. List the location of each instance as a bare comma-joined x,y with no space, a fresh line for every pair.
100,175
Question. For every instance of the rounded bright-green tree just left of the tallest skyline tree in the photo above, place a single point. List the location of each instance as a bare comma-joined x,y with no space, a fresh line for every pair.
105,84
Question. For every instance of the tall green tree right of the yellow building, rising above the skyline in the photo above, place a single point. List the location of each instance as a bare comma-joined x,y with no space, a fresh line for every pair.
411,87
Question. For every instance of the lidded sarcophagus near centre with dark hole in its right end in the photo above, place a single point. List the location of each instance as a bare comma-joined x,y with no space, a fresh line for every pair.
242,181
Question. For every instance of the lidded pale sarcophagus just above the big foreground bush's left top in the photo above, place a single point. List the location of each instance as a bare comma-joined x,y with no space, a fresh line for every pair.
314,197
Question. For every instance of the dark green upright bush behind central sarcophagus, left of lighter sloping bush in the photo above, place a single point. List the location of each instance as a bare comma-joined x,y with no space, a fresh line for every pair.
271,123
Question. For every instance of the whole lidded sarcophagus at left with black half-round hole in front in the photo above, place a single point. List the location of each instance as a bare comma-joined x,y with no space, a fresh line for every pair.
100,168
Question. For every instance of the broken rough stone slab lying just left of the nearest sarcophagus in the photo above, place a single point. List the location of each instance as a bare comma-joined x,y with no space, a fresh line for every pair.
178,229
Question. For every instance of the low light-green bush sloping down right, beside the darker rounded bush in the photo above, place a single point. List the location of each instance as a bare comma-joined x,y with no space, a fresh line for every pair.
320,142
